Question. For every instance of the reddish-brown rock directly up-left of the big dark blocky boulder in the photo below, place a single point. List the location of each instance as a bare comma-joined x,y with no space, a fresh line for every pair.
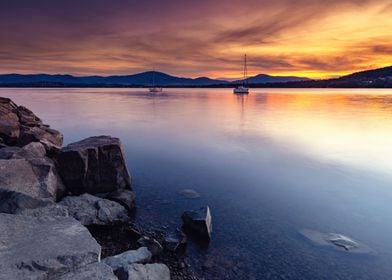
50,138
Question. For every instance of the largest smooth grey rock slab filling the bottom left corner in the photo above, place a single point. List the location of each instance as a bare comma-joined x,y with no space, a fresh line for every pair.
43,248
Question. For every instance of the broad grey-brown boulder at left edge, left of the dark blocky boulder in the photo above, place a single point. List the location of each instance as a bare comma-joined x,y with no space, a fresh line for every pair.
28,184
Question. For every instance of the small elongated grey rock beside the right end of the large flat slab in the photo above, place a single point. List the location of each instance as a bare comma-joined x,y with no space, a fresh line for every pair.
141,255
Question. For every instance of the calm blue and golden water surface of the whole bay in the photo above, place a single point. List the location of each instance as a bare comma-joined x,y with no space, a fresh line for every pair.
269,165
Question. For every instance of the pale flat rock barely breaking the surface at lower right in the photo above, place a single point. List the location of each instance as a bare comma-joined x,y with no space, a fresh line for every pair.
337,241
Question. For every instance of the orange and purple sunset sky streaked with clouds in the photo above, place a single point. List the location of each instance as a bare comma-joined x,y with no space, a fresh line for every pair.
192,38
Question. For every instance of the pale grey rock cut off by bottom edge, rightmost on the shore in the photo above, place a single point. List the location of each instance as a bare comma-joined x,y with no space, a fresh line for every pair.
154,271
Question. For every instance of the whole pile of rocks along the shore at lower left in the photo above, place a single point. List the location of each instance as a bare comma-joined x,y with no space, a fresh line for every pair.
67,212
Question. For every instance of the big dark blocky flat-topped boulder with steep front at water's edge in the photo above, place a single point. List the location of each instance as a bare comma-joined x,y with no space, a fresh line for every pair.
94,165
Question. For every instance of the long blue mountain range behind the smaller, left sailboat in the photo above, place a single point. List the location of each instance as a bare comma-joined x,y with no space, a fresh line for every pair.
140,79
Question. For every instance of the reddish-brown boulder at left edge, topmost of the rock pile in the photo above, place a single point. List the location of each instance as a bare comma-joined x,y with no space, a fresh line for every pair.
9,121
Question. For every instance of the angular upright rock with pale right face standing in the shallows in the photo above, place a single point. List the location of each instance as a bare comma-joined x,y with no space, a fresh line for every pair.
198,222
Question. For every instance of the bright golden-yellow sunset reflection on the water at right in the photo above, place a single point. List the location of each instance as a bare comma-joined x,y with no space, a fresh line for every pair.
349,127
